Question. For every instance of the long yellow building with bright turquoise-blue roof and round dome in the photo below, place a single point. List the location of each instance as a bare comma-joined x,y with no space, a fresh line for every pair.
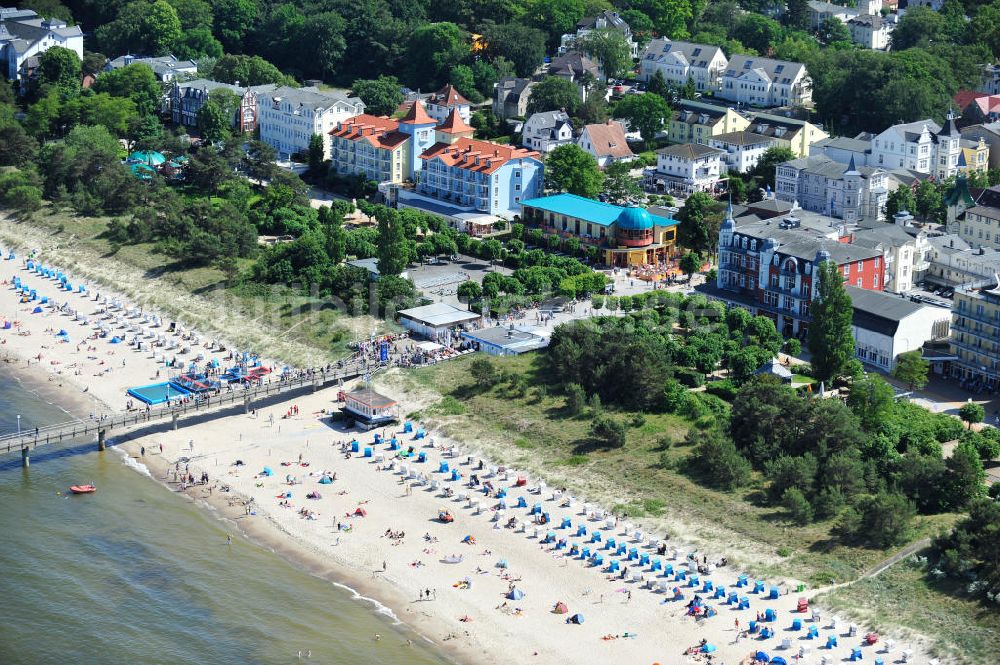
625,236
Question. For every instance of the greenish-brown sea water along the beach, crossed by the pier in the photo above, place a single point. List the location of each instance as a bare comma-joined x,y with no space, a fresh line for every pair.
137,574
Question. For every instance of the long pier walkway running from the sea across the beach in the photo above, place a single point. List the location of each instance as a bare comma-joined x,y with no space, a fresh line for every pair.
29,439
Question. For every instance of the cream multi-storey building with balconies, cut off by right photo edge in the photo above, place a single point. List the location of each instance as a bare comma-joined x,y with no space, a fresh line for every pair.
975,335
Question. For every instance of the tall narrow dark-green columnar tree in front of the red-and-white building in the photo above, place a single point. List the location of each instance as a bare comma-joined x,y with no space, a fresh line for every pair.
831,340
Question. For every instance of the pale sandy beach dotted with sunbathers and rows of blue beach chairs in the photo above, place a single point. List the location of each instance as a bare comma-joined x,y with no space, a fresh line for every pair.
375,527
